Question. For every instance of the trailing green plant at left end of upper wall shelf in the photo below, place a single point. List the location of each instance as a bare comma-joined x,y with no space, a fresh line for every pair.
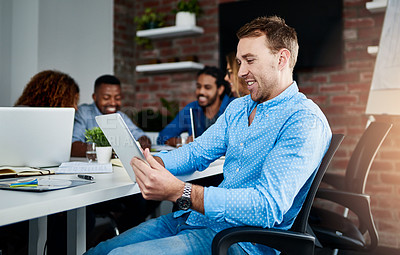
149,20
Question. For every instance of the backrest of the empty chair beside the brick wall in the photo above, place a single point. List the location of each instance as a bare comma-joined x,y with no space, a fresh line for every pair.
361,159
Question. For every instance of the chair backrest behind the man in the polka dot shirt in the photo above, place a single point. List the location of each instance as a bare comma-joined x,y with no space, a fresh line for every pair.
300,224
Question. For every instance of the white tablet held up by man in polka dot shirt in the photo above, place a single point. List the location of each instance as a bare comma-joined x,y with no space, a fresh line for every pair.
121,139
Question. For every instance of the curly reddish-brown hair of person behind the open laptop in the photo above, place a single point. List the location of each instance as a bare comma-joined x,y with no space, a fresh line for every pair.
50,89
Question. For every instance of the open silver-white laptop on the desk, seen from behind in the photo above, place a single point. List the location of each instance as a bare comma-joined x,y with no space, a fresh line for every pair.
35,136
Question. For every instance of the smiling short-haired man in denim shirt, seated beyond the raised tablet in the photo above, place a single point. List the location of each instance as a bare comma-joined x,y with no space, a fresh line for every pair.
107,99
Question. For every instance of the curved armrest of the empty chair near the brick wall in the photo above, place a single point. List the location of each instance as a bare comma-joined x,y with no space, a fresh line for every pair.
357,203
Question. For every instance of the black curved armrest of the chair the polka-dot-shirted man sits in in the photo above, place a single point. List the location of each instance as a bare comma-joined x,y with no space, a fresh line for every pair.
288,242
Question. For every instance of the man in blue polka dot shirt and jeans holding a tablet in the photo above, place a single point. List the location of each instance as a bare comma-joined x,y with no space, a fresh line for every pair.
273,141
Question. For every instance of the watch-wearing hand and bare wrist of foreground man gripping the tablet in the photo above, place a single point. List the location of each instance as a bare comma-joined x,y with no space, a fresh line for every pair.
157,183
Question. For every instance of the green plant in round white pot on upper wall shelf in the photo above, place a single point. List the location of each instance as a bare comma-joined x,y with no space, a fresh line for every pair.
186,12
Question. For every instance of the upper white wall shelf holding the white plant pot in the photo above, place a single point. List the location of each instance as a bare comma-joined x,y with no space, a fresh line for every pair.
165,32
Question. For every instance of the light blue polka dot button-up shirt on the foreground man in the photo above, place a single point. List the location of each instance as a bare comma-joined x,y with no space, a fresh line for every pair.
267,165
